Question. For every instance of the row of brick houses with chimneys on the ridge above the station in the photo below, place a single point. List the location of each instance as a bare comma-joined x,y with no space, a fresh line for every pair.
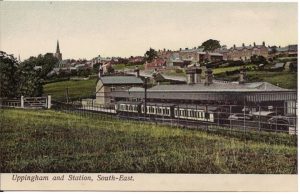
186,57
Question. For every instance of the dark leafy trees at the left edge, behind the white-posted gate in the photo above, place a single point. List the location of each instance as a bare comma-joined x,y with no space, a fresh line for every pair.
17,79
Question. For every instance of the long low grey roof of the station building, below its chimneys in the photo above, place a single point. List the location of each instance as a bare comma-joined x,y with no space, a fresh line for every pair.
218,87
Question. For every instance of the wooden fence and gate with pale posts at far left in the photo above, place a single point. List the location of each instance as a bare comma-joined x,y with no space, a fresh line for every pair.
27,102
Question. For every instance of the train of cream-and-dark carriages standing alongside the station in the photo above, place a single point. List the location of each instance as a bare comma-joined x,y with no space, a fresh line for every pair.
198,114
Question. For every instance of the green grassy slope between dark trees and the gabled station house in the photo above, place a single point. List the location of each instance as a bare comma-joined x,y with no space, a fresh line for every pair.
77,89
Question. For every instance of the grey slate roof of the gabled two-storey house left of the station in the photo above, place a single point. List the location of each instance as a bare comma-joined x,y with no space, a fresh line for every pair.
115,80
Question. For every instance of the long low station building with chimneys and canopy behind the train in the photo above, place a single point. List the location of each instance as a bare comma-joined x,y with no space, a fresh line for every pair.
217,93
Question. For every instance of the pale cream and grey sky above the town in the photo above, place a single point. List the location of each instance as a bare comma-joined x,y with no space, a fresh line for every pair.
88,29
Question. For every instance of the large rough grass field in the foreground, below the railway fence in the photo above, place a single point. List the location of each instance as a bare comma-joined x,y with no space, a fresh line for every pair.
49,141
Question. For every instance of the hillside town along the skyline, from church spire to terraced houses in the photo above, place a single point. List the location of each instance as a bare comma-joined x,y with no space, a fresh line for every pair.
166,60
